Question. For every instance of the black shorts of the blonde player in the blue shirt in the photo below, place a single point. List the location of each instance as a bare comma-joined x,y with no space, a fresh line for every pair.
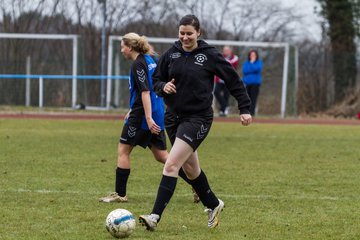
134,136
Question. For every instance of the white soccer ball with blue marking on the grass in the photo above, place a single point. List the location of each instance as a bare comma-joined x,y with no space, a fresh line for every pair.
120,223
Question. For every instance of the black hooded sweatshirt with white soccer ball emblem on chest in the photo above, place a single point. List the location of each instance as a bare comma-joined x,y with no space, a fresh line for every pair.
194,79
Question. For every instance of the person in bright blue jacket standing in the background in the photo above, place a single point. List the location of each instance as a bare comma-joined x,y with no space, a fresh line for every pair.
252,77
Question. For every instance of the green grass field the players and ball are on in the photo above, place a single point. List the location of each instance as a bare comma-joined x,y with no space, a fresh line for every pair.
277,182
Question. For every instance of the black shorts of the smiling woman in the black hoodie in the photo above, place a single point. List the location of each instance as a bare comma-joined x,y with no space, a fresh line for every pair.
191,129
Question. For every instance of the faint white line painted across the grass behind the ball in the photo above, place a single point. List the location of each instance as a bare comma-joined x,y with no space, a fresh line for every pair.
233,196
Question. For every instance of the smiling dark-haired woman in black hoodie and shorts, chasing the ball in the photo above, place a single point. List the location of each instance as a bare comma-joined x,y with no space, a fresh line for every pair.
184,77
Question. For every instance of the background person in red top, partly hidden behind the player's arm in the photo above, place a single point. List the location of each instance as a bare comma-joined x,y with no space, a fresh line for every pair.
221,93
